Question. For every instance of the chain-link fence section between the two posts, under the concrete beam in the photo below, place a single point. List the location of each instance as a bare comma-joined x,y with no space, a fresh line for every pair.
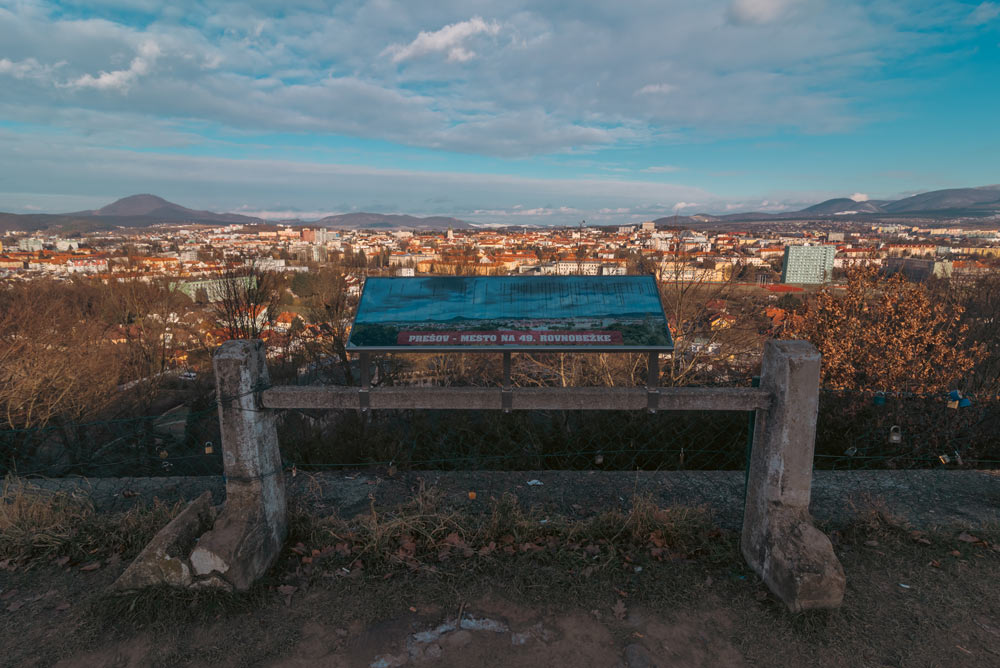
522,440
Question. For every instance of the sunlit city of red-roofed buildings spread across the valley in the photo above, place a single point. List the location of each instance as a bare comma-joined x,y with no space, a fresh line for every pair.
751,267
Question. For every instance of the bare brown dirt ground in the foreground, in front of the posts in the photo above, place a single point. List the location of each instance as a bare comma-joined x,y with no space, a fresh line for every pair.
931,602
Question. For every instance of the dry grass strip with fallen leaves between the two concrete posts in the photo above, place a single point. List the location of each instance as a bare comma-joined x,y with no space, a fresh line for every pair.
423,536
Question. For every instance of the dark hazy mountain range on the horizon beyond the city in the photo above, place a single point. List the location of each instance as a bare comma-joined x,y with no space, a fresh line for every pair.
138,211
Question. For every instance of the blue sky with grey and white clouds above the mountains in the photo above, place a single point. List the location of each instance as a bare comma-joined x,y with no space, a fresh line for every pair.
498,112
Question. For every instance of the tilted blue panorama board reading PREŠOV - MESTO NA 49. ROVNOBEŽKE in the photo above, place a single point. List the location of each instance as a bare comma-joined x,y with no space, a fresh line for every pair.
511,311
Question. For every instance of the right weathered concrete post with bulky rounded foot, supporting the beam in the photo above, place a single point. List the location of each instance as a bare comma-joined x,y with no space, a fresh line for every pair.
779,541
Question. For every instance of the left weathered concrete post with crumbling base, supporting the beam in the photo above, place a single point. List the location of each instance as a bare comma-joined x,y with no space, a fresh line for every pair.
250,531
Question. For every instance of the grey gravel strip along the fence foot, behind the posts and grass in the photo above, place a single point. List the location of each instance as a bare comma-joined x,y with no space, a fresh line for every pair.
924,498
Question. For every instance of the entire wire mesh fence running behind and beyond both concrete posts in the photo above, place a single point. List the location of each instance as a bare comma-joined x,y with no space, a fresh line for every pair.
855,431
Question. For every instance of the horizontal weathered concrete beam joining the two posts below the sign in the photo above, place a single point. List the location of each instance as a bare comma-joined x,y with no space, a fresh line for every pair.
522,399
